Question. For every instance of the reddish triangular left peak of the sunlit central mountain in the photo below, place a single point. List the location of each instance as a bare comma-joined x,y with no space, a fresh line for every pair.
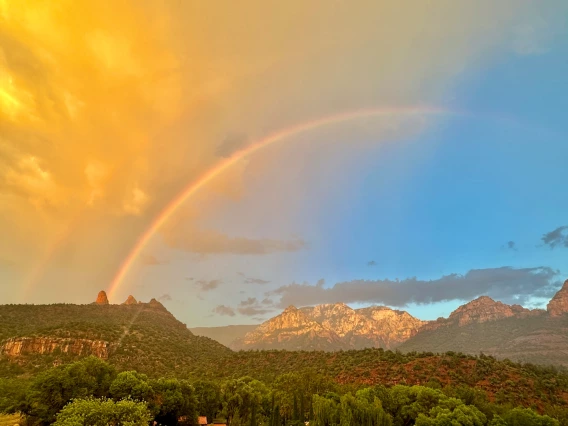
291,330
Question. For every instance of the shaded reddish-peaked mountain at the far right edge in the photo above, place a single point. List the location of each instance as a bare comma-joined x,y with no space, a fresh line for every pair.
504,331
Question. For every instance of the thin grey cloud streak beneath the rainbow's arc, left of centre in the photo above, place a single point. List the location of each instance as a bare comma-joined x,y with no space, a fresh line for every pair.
215,242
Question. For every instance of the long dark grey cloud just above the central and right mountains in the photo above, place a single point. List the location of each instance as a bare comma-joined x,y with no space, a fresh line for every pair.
508,284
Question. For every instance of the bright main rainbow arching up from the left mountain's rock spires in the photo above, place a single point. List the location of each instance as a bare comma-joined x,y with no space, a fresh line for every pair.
223,165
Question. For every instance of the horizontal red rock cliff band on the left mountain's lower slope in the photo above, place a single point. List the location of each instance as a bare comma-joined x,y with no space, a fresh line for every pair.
18,346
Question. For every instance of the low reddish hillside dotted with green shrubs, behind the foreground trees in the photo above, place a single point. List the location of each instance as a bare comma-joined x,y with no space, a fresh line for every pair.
503,381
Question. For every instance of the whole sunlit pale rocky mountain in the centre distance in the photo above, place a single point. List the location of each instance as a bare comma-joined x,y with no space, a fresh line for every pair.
332,327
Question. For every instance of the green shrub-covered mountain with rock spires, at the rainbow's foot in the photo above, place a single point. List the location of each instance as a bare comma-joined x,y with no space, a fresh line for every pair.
144,336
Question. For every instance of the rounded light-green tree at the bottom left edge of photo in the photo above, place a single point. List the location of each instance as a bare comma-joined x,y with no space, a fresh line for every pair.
103,412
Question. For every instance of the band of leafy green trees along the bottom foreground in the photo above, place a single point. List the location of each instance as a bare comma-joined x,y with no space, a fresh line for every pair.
94,392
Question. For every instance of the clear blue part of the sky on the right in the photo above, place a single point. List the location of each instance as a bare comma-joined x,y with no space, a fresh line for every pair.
448,200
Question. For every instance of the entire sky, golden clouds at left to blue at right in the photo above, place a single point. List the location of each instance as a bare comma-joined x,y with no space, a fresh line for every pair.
230,160
